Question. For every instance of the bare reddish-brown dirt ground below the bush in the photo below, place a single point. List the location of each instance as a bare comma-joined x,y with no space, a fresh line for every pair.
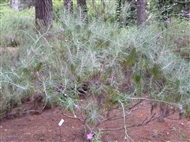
44,127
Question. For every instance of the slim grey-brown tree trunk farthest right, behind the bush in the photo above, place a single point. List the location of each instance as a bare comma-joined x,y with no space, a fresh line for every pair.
141,12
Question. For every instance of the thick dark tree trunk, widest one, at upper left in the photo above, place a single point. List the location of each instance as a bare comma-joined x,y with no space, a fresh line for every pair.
43,13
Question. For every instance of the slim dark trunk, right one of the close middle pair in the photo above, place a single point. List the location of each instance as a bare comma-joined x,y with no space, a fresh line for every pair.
83,10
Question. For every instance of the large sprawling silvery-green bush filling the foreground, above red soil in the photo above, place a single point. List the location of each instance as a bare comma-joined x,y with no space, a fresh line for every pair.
104,66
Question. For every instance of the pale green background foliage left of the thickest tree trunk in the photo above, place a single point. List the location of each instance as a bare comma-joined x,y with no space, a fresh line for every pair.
17,27
